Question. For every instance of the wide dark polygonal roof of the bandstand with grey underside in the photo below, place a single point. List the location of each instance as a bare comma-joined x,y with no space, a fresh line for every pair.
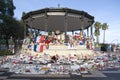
63,19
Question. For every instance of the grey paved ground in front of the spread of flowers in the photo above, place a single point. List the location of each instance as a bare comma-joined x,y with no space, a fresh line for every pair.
110,74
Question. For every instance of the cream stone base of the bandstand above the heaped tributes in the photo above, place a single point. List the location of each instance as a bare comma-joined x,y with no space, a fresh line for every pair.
63,50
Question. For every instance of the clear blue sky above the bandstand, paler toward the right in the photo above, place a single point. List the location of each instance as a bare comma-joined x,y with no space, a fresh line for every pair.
104,11
